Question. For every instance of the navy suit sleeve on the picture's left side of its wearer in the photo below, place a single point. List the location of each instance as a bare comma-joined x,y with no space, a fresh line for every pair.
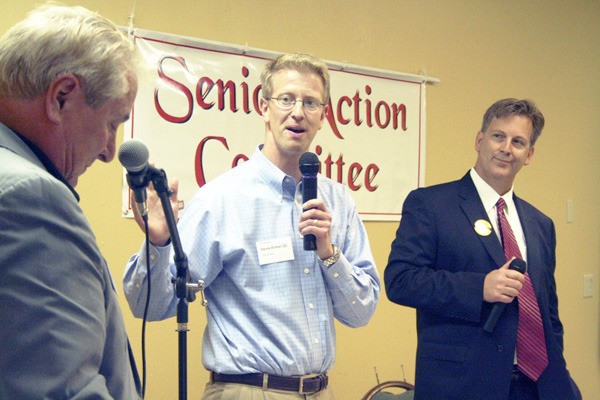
428,276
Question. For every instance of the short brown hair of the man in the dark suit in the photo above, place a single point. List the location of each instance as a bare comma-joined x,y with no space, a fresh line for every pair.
507,107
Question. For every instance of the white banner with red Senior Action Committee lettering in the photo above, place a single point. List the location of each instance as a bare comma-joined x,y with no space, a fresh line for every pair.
198,114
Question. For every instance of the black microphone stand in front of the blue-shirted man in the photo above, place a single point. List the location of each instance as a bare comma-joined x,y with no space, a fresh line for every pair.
185,290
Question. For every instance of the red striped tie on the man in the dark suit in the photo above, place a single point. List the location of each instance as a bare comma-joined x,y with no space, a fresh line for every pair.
532,357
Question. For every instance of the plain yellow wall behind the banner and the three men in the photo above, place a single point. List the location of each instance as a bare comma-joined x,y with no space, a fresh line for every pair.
548,51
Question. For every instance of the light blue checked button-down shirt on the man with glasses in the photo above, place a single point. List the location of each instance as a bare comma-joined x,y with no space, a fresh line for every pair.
277,317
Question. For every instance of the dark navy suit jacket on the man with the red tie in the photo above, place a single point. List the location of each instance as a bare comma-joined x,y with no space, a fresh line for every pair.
437,265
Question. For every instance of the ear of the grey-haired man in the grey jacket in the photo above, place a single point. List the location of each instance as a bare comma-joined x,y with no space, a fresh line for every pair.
62,92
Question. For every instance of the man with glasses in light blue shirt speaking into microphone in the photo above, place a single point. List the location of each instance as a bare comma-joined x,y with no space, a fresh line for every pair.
270,331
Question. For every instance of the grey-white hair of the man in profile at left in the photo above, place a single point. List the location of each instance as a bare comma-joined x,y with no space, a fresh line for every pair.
54,40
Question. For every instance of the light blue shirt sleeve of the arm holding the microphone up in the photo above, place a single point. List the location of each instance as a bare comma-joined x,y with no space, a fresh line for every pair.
353,281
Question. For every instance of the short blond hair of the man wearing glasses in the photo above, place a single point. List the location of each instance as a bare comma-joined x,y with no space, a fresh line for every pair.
298,62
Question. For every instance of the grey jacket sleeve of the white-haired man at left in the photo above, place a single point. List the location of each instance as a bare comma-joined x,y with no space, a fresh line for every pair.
52,303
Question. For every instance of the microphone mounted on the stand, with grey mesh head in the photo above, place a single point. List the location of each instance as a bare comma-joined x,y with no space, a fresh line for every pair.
133,155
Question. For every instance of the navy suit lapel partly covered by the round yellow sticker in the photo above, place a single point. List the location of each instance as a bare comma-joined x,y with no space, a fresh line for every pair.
474,211
